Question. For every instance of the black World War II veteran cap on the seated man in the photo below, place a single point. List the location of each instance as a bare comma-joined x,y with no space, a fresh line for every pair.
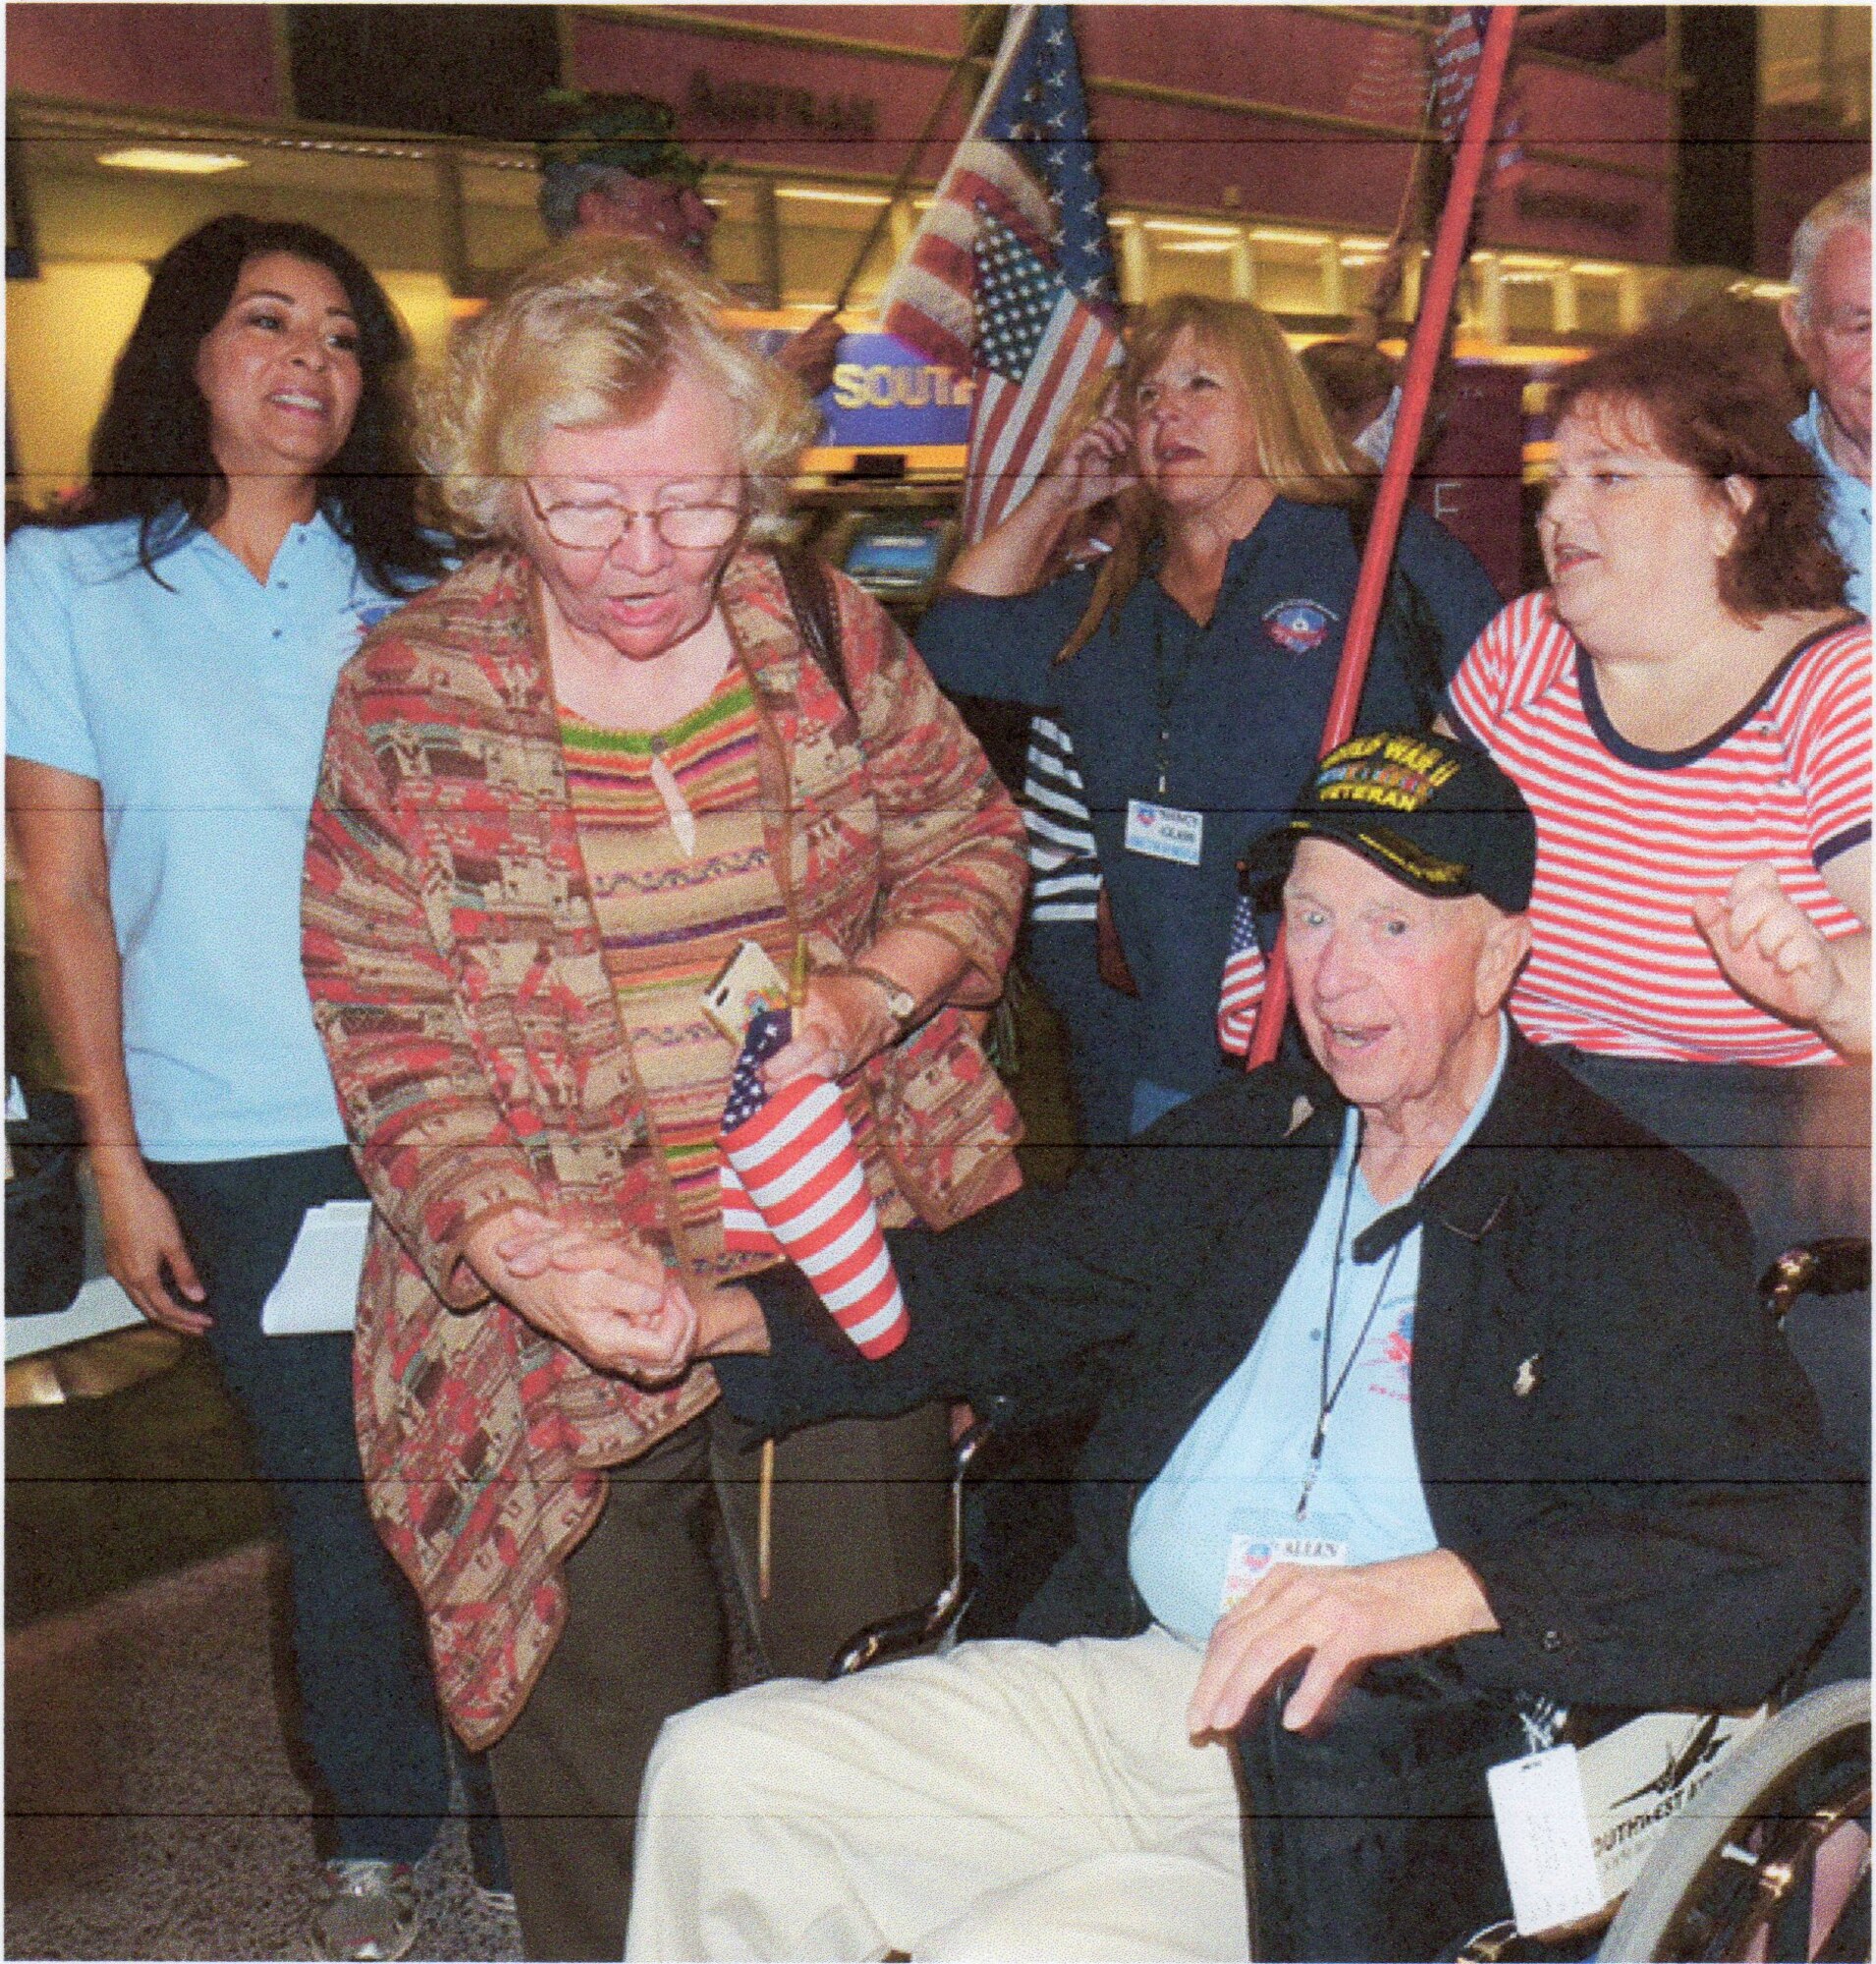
1433,812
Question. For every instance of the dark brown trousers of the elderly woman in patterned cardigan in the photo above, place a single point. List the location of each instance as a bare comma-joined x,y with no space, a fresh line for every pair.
859,1533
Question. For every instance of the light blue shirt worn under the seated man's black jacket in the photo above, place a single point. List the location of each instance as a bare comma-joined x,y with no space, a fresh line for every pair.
1225,1507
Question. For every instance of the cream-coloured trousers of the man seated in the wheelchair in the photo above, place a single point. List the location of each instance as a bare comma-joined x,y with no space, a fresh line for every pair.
1007,1802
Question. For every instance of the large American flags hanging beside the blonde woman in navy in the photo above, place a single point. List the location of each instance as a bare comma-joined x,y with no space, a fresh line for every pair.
1009,272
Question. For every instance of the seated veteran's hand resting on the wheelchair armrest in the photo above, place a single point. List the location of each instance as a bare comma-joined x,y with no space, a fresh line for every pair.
1339,1619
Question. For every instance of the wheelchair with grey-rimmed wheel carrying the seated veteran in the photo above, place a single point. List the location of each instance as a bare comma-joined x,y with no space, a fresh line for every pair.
1773,1867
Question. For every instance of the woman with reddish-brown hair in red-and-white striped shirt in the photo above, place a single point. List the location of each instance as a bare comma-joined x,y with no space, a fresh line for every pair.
1686,710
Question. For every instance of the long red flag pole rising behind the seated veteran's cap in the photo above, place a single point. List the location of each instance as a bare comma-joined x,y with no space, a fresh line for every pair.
1423,358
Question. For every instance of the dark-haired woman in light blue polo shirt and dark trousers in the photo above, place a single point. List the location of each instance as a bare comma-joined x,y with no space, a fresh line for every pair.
174,639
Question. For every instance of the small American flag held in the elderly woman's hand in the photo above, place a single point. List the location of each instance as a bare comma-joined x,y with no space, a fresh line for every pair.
795,1185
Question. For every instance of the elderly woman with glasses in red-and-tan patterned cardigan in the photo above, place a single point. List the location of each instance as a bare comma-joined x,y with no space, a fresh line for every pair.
559,791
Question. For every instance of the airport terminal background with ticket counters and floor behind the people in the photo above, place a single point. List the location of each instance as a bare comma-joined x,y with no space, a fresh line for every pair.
154,1802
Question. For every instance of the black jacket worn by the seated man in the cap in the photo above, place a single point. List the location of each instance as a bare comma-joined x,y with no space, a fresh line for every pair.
1610,1431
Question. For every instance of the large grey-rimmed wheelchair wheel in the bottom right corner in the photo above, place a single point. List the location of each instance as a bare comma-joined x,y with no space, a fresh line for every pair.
1749,1875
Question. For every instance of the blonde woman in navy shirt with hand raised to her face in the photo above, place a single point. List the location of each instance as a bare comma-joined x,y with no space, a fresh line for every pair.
1193,669
